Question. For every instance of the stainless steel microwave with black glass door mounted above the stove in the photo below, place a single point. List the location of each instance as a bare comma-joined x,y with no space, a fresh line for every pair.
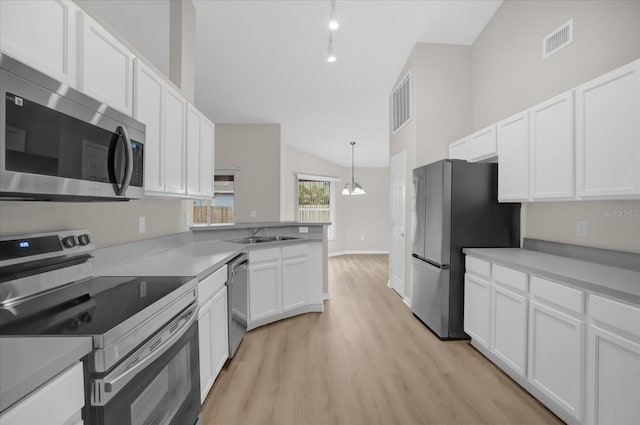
59,144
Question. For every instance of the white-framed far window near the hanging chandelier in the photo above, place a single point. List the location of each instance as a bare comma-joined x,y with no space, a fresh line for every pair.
317,200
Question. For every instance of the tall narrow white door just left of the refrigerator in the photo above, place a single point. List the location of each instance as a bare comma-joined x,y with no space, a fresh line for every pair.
398,171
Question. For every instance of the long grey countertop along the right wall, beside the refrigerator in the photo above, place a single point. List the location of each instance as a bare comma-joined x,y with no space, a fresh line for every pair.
616,282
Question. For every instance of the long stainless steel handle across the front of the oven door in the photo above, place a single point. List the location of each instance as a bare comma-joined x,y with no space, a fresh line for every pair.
103,390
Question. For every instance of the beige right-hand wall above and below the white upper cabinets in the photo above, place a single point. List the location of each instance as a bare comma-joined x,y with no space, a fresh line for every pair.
509,75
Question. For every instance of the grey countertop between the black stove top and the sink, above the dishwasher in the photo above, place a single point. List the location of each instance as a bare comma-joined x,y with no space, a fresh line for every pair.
197,259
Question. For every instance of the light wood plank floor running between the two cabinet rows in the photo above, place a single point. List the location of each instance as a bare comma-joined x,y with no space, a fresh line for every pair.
365,360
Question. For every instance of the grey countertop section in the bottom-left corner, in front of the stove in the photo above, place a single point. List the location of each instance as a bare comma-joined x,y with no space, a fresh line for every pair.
28,362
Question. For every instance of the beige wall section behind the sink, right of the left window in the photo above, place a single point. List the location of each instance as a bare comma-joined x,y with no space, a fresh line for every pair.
255,149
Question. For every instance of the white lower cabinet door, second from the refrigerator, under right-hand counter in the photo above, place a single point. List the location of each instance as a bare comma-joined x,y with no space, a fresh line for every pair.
509,341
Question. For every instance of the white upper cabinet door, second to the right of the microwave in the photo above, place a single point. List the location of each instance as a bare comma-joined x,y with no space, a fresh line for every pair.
174,143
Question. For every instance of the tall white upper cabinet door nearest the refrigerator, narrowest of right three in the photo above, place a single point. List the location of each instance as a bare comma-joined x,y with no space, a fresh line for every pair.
513,158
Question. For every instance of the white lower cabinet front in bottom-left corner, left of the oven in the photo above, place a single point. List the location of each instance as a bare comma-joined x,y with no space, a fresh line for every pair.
58,402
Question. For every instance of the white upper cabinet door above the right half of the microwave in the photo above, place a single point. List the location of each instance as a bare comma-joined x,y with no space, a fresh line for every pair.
105,66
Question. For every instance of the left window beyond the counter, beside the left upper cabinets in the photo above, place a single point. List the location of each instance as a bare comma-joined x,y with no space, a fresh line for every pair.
220,209
